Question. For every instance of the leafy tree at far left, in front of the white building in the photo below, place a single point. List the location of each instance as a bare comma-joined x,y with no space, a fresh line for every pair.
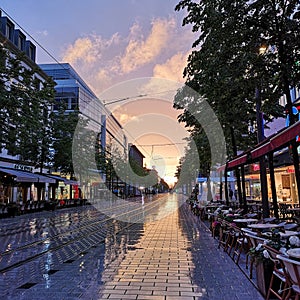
25,109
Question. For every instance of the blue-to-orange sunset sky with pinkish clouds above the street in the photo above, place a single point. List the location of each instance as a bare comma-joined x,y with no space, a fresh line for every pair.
123,49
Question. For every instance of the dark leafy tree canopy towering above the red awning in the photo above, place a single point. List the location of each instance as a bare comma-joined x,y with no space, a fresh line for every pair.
226,65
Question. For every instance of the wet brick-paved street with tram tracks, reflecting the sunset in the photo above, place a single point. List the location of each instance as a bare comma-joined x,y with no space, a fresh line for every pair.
81,253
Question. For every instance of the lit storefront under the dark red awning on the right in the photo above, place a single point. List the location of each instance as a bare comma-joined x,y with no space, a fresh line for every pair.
282,179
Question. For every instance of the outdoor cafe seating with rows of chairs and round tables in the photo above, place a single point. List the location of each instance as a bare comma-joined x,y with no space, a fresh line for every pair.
266,250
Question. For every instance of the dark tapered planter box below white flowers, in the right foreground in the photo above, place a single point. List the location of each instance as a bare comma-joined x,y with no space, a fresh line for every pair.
264,272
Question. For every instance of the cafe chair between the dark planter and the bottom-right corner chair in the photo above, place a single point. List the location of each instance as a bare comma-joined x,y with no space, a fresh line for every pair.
278,276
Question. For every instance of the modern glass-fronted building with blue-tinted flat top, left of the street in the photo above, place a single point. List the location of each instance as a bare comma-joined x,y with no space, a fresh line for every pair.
107,132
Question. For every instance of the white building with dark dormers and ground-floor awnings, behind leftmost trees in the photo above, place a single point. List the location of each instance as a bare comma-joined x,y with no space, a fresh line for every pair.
19,178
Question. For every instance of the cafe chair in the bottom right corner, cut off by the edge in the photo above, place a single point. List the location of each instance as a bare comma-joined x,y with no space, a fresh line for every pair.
292,273
